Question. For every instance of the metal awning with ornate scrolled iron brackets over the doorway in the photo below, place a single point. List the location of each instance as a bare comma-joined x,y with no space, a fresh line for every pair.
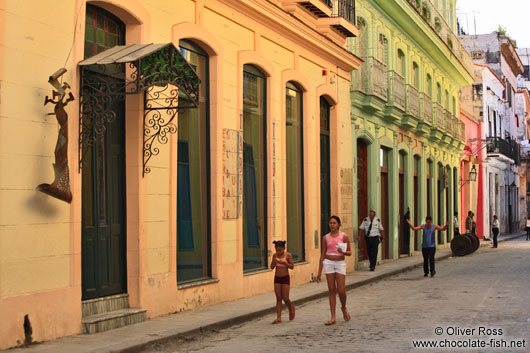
153,69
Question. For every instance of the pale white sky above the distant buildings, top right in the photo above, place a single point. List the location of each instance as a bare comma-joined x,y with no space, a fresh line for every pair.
514,15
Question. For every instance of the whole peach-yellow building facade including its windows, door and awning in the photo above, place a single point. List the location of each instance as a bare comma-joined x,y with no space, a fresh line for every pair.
163,204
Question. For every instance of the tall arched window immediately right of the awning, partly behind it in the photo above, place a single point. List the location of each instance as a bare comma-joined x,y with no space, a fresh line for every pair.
193,176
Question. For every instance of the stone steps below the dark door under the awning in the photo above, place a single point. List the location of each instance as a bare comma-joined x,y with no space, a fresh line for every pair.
113,319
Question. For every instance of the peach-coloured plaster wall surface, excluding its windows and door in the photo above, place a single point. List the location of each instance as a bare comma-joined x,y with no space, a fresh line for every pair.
40,237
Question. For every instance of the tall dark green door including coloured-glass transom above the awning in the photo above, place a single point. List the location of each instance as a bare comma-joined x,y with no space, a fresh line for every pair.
103,178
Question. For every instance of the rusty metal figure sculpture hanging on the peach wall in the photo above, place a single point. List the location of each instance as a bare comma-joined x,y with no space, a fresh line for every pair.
60,188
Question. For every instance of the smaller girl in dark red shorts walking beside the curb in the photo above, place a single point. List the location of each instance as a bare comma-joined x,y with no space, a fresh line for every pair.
282,261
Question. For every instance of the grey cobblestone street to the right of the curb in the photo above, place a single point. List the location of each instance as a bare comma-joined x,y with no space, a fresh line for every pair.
488,289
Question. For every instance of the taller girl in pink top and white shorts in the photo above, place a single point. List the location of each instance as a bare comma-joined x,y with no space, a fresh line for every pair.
335,246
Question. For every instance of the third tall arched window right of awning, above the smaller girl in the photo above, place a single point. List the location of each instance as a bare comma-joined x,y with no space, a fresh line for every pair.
295,170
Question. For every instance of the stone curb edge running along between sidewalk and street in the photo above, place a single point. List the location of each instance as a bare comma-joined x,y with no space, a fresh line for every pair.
216,326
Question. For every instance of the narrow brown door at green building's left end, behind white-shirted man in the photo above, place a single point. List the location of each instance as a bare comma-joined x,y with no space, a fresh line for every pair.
362,194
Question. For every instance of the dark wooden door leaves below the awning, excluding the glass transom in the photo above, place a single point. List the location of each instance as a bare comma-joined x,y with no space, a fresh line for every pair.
103,209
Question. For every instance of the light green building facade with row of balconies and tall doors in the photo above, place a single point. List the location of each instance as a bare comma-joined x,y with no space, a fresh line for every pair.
407,137
